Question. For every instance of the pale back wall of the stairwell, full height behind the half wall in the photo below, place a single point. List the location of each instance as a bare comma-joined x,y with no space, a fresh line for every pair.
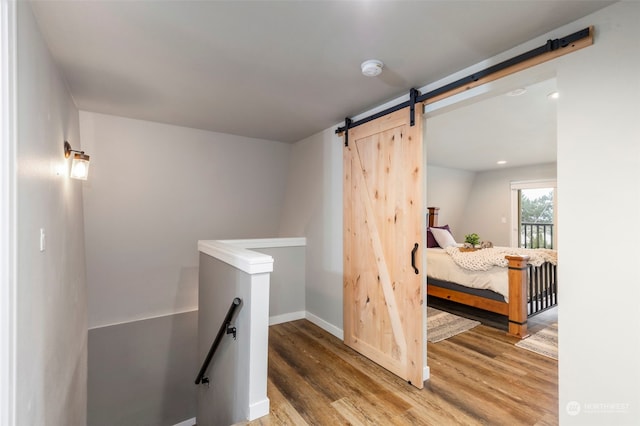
154,190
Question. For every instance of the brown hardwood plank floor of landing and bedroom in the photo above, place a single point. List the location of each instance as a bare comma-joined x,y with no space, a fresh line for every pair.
477,378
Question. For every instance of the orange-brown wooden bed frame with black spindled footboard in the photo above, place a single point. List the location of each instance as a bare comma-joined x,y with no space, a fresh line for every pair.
522,277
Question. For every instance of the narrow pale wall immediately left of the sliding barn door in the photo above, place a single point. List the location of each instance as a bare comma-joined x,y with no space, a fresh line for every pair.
313,208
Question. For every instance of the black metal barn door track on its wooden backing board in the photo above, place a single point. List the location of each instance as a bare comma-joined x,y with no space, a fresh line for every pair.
550,50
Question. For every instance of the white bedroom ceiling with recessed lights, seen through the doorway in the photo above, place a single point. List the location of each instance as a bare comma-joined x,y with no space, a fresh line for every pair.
520,130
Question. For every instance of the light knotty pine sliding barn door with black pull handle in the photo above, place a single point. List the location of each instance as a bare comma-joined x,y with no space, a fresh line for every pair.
383,288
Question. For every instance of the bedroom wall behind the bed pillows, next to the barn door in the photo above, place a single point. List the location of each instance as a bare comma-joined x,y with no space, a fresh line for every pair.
449,189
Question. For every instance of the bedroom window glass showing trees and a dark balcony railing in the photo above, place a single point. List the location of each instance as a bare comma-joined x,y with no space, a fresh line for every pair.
536,218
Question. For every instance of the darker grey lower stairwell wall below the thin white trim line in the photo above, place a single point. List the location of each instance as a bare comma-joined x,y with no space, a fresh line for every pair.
142,372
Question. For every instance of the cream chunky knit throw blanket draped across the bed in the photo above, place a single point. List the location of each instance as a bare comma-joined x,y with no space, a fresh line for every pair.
485,259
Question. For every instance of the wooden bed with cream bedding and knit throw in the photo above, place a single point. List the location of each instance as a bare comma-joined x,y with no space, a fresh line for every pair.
524,286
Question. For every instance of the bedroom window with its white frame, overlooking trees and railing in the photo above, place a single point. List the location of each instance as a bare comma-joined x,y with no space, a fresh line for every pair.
534,217
